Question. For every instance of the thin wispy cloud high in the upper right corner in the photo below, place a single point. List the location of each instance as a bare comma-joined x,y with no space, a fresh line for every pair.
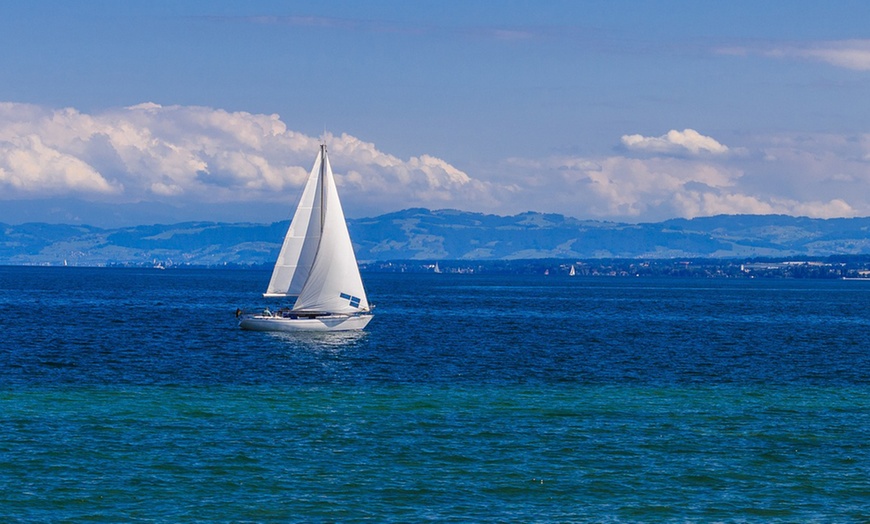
849,54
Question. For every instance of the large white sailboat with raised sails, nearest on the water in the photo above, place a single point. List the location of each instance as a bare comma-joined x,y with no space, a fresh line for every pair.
316,265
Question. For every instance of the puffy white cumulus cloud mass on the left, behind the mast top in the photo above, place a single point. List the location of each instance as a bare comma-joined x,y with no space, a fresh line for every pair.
200,154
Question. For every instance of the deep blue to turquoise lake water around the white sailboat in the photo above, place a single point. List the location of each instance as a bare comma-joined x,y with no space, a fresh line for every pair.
132,396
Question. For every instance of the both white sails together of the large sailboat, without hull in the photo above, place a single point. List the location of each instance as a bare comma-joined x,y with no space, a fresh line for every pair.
317,263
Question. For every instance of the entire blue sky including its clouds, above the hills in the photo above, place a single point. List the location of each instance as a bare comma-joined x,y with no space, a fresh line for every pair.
145,111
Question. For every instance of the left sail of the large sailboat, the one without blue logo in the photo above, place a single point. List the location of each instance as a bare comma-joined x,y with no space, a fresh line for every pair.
300,244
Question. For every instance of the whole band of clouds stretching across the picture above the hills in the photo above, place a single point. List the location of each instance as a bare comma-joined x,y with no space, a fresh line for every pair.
191,155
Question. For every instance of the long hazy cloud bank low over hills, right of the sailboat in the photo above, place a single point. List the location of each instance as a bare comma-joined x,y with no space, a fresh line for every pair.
820,176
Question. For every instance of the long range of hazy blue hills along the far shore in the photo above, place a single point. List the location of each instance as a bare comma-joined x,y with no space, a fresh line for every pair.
421,234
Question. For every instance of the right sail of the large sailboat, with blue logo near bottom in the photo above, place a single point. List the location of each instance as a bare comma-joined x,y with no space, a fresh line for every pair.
334,283
